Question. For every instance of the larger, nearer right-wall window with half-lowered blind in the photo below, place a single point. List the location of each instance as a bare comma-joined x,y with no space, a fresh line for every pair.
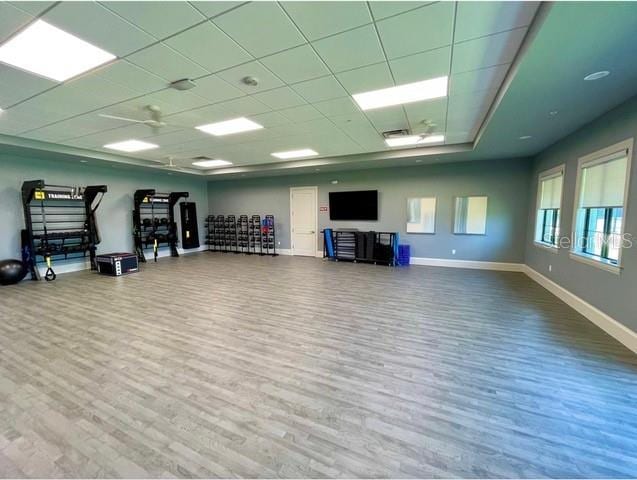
601,197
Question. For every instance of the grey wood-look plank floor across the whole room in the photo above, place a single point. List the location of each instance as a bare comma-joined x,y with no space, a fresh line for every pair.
222,365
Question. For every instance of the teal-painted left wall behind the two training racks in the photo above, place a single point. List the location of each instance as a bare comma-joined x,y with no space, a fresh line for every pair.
114,213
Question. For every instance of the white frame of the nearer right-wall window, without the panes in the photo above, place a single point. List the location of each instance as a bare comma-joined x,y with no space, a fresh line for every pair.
595,158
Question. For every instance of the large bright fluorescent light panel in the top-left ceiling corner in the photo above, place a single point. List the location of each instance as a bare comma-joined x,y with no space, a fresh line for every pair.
52,53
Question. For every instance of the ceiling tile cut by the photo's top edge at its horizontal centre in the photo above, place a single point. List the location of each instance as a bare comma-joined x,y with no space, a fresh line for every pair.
319,19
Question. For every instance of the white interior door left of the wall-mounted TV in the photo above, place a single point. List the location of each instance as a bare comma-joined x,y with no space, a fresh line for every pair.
304,220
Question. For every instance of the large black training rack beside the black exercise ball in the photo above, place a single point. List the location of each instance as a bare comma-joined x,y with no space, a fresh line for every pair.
60,222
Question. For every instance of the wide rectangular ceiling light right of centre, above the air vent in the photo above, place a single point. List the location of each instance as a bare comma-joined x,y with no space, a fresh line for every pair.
408,93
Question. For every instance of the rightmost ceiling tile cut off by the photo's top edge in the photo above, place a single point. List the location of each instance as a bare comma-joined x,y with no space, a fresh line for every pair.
479,19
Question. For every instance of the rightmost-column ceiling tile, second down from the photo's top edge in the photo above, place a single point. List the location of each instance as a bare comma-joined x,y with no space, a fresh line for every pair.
487,51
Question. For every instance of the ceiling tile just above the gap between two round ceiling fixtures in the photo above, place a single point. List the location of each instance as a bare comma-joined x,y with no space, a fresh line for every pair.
197,44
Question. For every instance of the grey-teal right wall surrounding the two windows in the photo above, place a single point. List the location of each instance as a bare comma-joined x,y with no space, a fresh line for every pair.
613,294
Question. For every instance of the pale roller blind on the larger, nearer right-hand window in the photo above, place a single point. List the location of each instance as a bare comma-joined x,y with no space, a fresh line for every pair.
603,183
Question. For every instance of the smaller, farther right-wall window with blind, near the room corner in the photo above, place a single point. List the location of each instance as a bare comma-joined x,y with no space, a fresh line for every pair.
549,204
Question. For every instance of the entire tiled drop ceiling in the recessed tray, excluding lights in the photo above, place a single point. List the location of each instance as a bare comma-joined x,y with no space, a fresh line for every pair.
309,62
